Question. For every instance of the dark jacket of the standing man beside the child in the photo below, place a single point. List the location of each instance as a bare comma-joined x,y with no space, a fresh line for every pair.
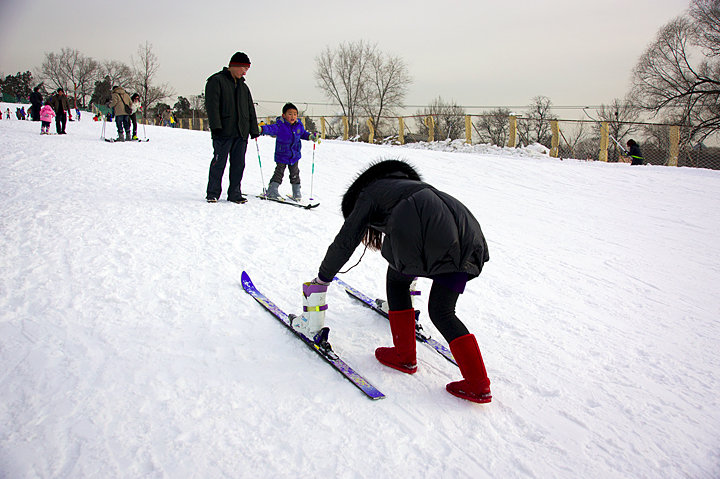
231,112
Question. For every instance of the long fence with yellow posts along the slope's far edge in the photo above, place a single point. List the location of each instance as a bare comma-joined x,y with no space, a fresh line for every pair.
661,144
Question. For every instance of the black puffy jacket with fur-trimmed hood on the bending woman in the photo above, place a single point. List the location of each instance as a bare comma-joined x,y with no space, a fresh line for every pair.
426,231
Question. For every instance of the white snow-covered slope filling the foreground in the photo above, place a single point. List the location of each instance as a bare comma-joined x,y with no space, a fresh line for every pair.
129,349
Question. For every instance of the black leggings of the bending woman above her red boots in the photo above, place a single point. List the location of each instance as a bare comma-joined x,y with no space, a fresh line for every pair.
441,304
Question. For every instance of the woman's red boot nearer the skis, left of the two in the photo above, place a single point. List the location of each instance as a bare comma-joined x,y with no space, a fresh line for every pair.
403,356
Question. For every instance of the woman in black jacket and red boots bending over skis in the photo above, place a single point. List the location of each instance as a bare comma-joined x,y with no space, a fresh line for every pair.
420,231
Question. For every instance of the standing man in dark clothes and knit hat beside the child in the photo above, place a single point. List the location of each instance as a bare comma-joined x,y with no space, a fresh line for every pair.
231,115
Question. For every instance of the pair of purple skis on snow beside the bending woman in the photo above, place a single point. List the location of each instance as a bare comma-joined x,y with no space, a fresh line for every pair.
324,349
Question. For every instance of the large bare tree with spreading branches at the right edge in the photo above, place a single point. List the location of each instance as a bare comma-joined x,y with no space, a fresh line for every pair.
680,70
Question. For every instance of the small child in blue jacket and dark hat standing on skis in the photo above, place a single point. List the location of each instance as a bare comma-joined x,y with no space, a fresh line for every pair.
288,131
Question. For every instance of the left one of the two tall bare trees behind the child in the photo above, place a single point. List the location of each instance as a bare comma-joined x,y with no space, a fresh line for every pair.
342,74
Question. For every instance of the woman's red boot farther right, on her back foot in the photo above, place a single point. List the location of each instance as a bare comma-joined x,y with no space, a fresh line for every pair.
476,385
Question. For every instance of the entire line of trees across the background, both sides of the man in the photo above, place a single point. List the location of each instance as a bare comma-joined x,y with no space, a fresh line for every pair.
675,81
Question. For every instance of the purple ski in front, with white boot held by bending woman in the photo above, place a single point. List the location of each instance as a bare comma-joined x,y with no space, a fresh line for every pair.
324,351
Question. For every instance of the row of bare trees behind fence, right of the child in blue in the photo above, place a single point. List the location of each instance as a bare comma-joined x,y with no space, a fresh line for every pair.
676,81
